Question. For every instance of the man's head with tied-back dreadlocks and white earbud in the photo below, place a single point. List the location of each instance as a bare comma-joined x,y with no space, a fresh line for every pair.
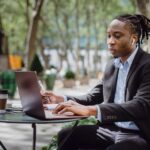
125,32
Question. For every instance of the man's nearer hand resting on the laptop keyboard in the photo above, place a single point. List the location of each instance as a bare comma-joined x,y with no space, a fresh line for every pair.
75,108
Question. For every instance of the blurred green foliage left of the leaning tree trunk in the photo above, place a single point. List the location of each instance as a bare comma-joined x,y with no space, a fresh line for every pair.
14,23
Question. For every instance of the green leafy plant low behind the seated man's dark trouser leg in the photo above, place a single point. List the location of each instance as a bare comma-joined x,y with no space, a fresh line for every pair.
53,143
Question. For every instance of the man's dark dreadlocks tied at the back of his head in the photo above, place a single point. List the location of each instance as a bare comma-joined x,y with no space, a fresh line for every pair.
139,25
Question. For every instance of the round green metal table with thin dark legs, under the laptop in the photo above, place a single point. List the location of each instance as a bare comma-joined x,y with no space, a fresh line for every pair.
21,118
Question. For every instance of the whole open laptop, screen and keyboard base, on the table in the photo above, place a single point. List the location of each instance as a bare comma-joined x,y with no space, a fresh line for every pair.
31,99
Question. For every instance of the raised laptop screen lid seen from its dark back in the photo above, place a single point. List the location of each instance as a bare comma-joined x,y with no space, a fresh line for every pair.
29,91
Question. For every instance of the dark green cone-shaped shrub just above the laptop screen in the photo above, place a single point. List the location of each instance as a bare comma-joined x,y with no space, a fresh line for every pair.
36,65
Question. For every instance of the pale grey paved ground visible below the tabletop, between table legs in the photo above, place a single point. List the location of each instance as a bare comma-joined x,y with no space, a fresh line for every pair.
19,136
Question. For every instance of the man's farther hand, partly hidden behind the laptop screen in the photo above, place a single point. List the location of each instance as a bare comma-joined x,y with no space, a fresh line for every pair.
49,97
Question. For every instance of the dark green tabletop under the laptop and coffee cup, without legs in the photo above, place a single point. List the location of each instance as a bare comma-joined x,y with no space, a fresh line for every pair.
21,117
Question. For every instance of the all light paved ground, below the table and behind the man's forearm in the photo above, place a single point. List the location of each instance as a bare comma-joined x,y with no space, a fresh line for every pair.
19,136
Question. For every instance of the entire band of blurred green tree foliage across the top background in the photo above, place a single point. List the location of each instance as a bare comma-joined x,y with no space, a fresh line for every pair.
15,19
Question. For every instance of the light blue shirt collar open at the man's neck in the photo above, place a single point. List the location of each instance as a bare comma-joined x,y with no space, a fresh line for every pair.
129,61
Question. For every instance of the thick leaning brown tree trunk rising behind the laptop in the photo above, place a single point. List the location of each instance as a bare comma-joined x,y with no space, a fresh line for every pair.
32,32
